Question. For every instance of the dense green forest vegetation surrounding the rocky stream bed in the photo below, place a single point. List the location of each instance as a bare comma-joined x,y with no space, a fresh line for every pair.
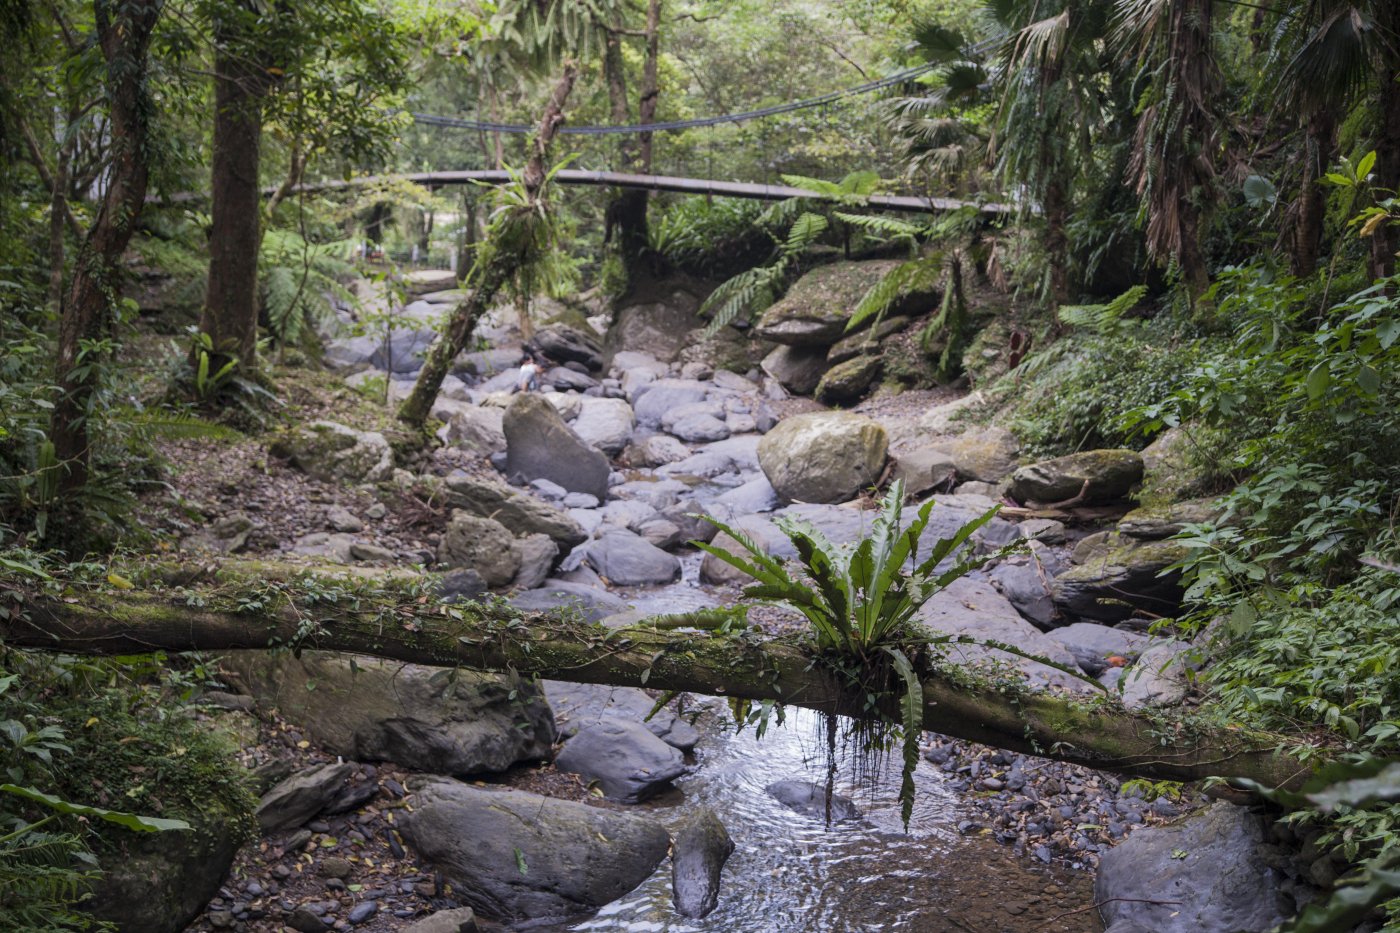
1203,242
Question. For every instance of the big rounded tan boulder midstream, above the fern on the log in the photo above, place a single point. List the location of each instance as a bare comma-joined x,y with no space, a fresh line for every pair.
824,457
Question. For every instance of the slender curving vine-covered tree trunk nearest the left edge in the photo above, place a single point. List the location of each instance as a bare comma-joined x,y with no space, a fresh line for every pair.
124,33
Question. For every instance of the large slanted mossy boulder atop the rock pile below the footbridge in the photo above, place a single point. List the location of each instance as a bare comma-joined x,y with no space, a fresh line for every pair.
815,310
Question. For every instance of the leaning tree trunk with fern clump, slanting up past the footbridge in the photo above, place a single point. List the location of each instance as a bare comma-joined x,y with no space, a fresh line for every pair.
489,278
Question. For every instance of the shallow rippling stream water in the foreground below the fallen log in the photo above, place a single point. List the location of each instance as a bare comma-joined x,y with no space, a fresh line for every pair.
793,875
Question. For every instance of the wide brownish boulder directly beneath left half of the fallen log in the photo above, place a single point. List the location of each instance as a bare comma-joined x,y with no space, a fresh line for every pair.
421,718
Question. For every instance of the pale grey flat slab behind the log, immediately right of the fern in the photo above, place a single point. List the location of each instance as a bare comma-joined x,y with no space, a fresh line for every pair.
974,609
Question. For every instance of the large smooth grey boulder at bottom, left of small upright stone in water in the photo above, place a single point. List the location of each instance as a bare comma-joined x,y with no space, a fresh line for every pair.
514,857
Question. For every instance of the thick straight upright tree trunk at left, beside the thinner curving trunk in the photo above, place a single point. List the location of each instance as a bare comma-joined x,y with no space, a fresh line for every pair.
230,316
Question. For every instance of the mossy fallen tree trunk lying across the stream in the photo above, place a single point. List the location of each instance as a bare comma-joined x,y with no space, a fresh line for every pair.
281,607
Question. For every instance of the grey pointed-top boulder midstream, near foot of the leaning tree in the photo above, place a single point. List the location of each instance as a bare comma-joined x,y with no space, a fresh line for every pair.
541,446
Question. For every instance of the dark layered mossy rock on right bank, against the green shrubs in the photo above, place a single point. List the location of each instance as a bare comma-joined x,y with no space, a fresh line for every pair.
1119,576
